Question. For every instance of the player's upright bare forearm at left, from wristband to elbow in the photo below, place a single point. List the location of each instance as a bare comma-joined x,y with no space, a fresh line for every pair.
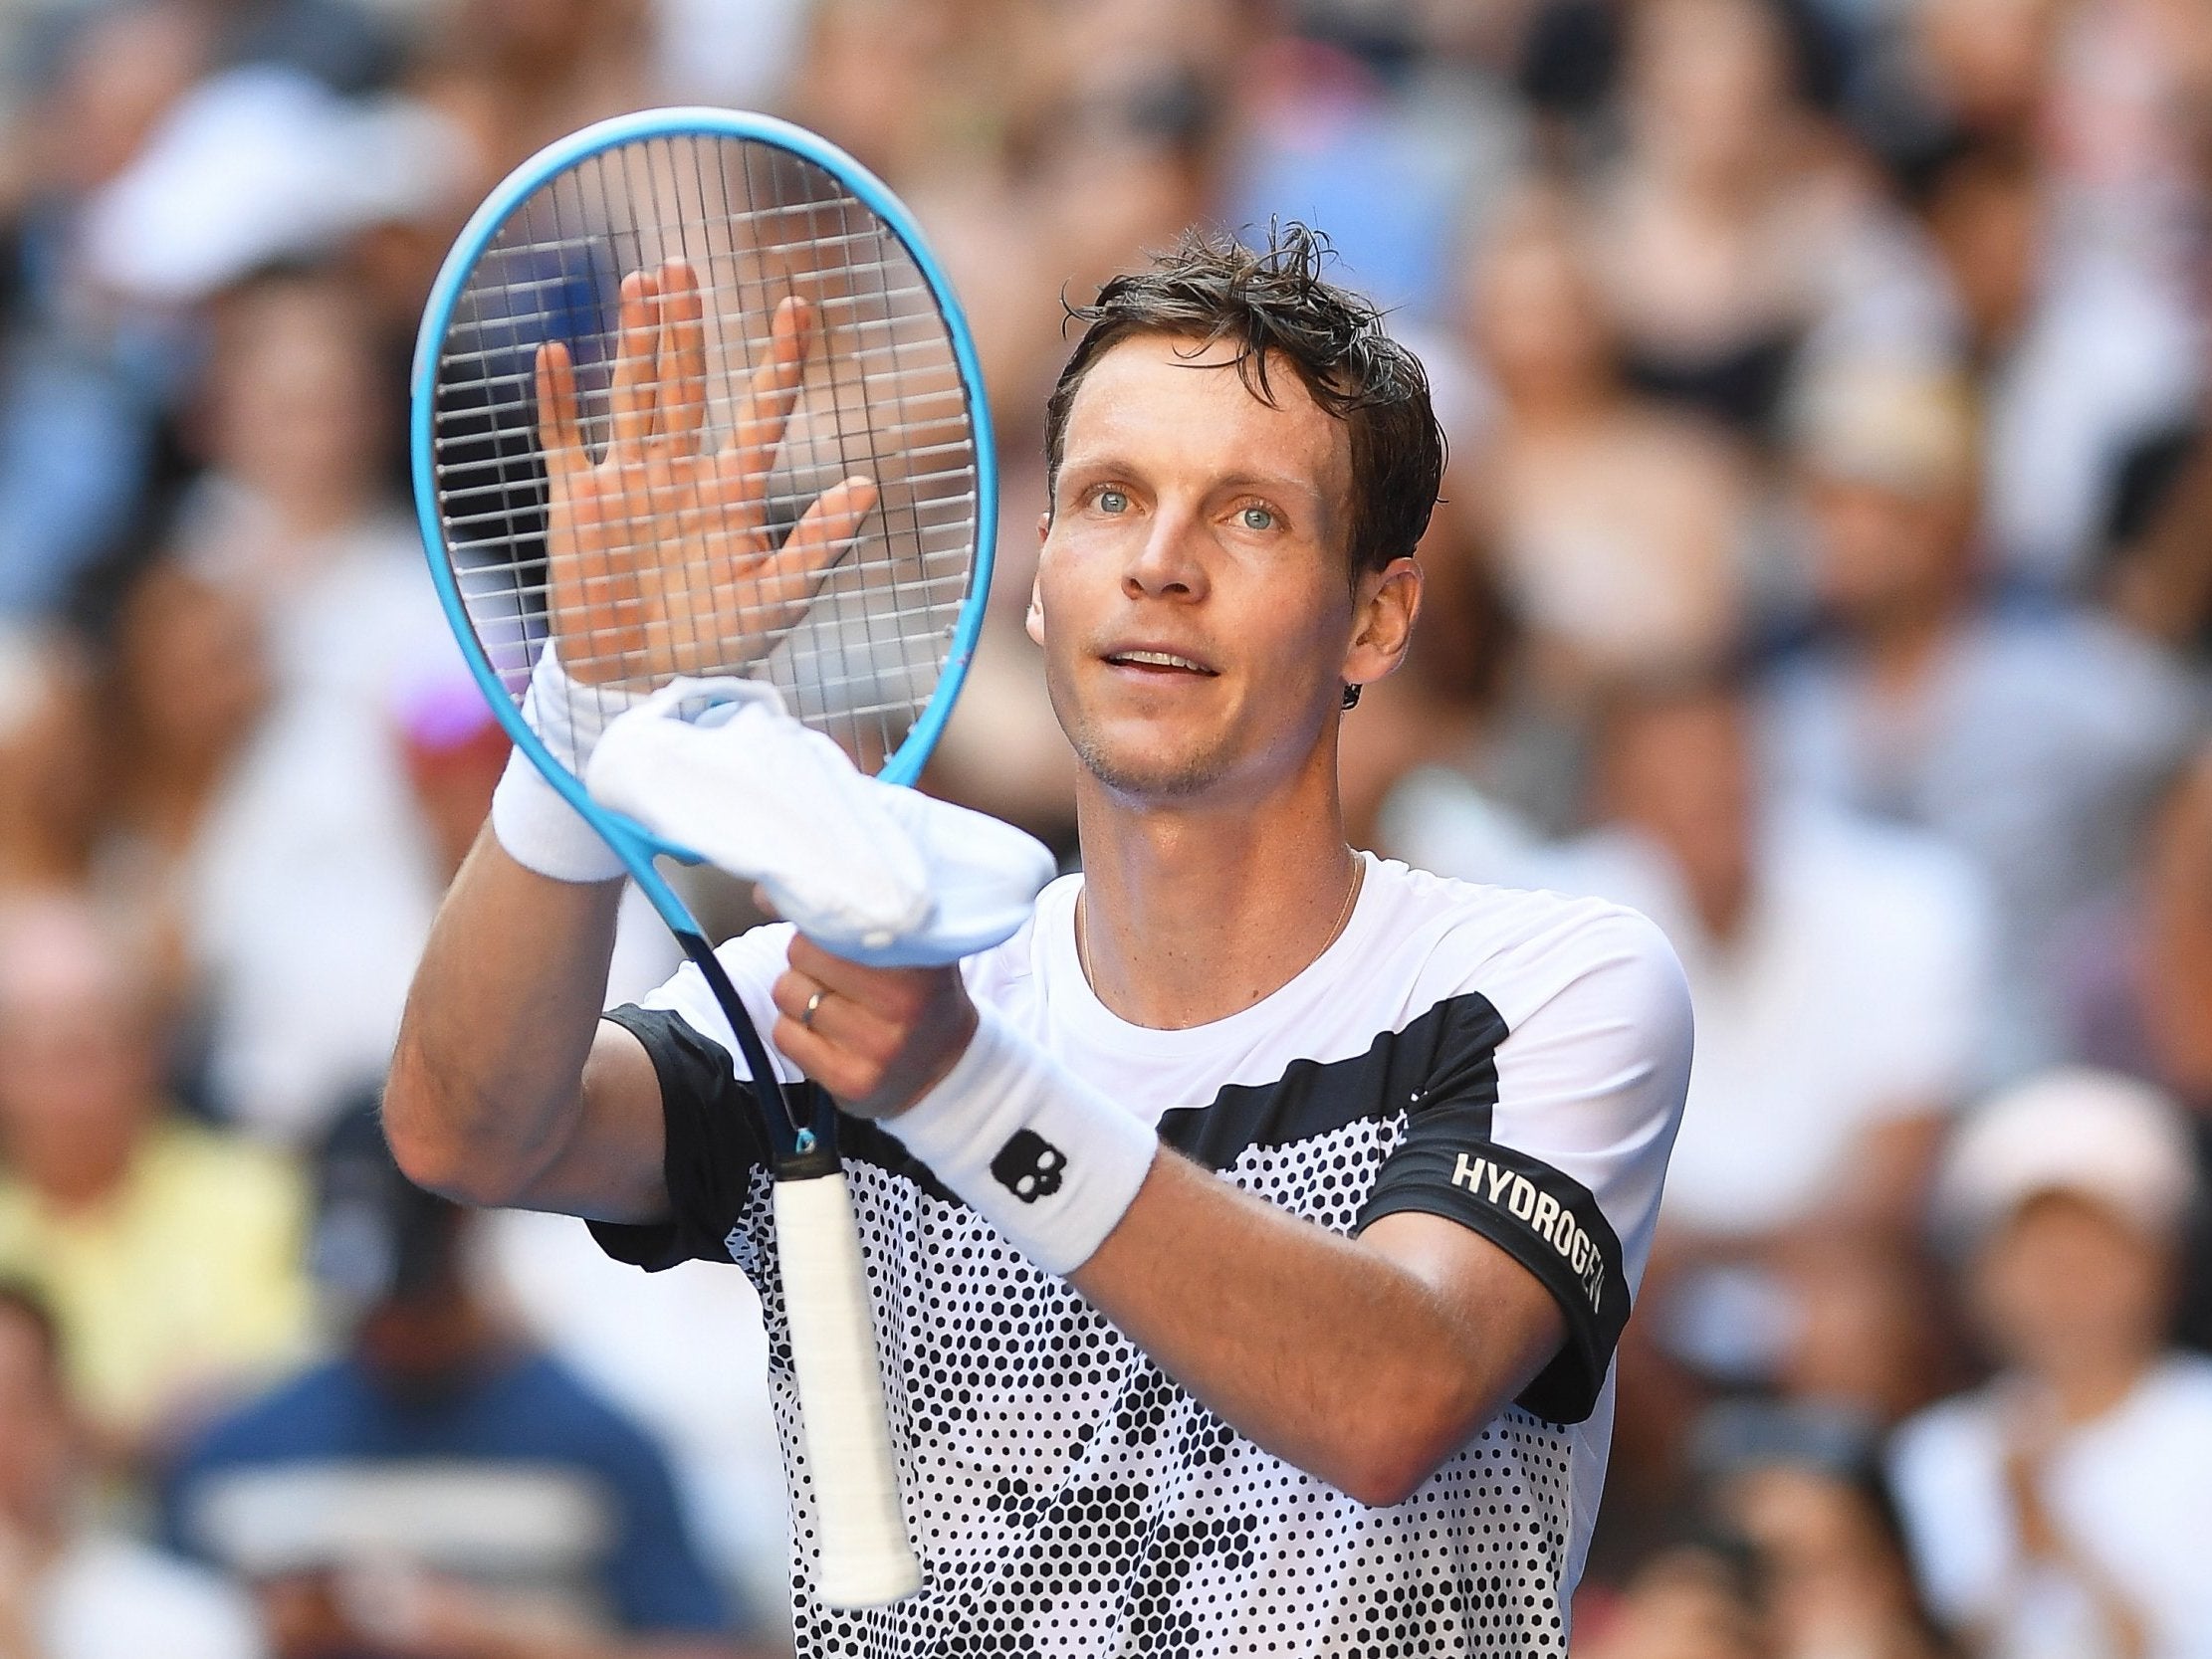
486,1081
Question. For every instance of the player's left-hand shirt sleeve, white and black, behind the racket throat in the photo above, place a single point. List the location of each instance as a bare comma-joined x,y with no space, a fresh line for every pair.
713,1142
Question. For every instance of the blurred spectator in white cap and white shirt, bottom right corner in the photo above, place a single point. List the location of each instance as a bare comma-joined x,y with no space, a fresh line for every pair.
2063,1507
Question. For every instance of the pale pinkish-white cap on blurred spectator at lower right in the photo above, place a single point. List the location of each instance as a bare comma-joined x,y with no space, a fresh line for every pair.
2094,1134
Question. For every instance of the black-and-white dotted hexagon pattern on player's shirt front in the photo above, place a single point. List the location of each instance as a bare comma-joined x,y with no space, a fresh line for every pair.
1070,1499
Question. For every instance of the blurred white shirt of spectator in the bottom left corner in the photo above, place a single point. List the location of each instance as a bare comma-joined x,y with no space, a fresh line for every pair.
109,1598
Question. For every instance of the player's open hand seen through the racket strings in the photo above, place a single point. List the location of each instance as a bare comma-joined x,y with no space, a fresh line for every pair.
662,561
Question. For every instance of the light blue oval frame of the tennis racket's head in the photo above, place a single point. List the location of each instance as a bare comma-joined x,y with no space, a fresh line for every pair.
632,842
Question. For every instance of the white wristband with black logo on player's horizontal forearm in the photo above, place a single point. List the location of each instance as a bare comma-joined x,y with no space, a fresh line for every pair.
1034,1151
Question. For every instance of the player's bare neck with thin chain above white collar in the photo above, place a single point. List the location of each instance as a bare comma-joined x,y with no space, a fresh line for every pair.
1198,912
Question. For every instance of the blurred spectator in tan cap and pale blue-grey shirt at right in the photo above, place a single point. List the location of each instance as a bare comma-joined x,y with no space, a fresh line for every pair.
2027,738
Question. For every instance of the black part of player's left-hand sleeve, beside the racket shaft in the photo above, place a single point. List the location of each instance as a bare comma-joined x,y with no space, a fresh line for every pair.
711,1156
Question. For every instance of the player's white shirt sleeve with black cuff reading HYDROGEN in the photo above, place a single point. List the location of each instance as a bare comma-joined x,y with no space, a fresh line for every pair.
1547,1123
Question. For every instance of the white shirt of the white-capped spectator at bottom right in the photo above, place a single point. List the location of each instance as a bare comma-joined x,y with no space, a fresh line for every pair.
2129,1492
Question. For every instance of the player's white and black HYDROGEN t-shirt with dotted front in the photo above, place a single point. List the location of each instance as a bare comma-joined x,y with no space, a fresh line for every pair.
1507,1061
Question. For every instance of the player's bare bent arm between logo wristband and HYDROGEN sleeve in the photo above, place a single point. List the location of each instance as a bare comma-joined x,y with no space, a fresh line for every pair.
1364,1361
